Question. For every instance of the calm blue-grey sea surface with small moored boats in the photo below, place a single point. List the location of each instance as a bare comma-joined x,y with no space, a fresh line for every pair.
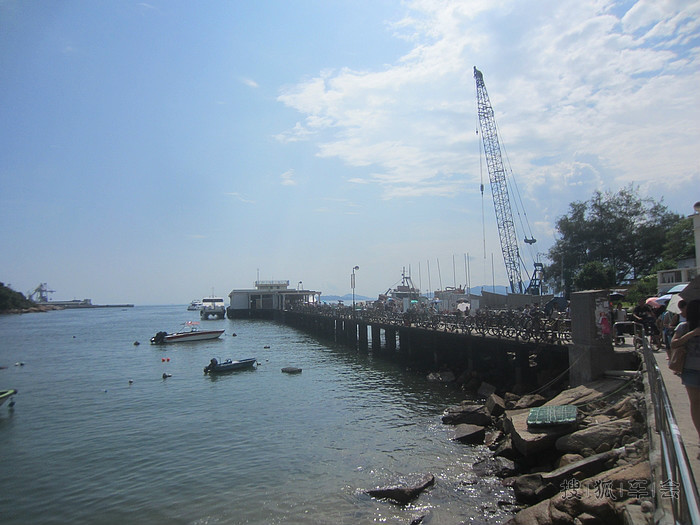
82,445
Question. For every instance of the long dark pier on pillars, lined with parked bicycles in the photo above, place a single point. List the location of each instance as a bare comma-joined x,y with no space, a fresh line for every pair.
493,352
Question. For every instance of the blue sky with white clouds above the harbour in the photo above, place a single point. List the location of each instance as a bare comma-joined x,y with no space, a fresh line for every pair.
151,152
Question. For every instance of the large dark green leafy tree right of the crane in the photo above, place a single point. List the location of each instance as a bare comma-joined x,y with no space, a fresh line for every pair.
626,234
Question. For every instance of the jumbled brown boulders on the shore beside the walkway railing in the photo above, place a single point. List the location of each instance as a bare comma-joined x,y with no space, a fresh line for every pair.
591,470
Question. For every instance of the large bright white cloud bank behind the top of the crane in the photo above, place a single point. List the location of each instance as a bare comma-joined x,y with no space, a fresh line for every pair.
570,79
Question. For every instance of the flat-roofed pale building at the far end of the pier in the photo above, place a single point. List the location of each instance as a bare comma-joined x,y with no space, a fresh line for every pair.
267,298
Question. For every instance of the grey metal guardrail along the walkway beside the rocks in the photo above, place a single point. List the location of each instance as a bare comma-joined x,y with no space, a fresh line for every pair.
679,482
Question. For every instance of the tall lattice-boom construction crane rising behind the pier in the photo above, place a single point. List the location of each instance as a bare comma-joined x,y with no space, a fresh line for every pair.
501,199
